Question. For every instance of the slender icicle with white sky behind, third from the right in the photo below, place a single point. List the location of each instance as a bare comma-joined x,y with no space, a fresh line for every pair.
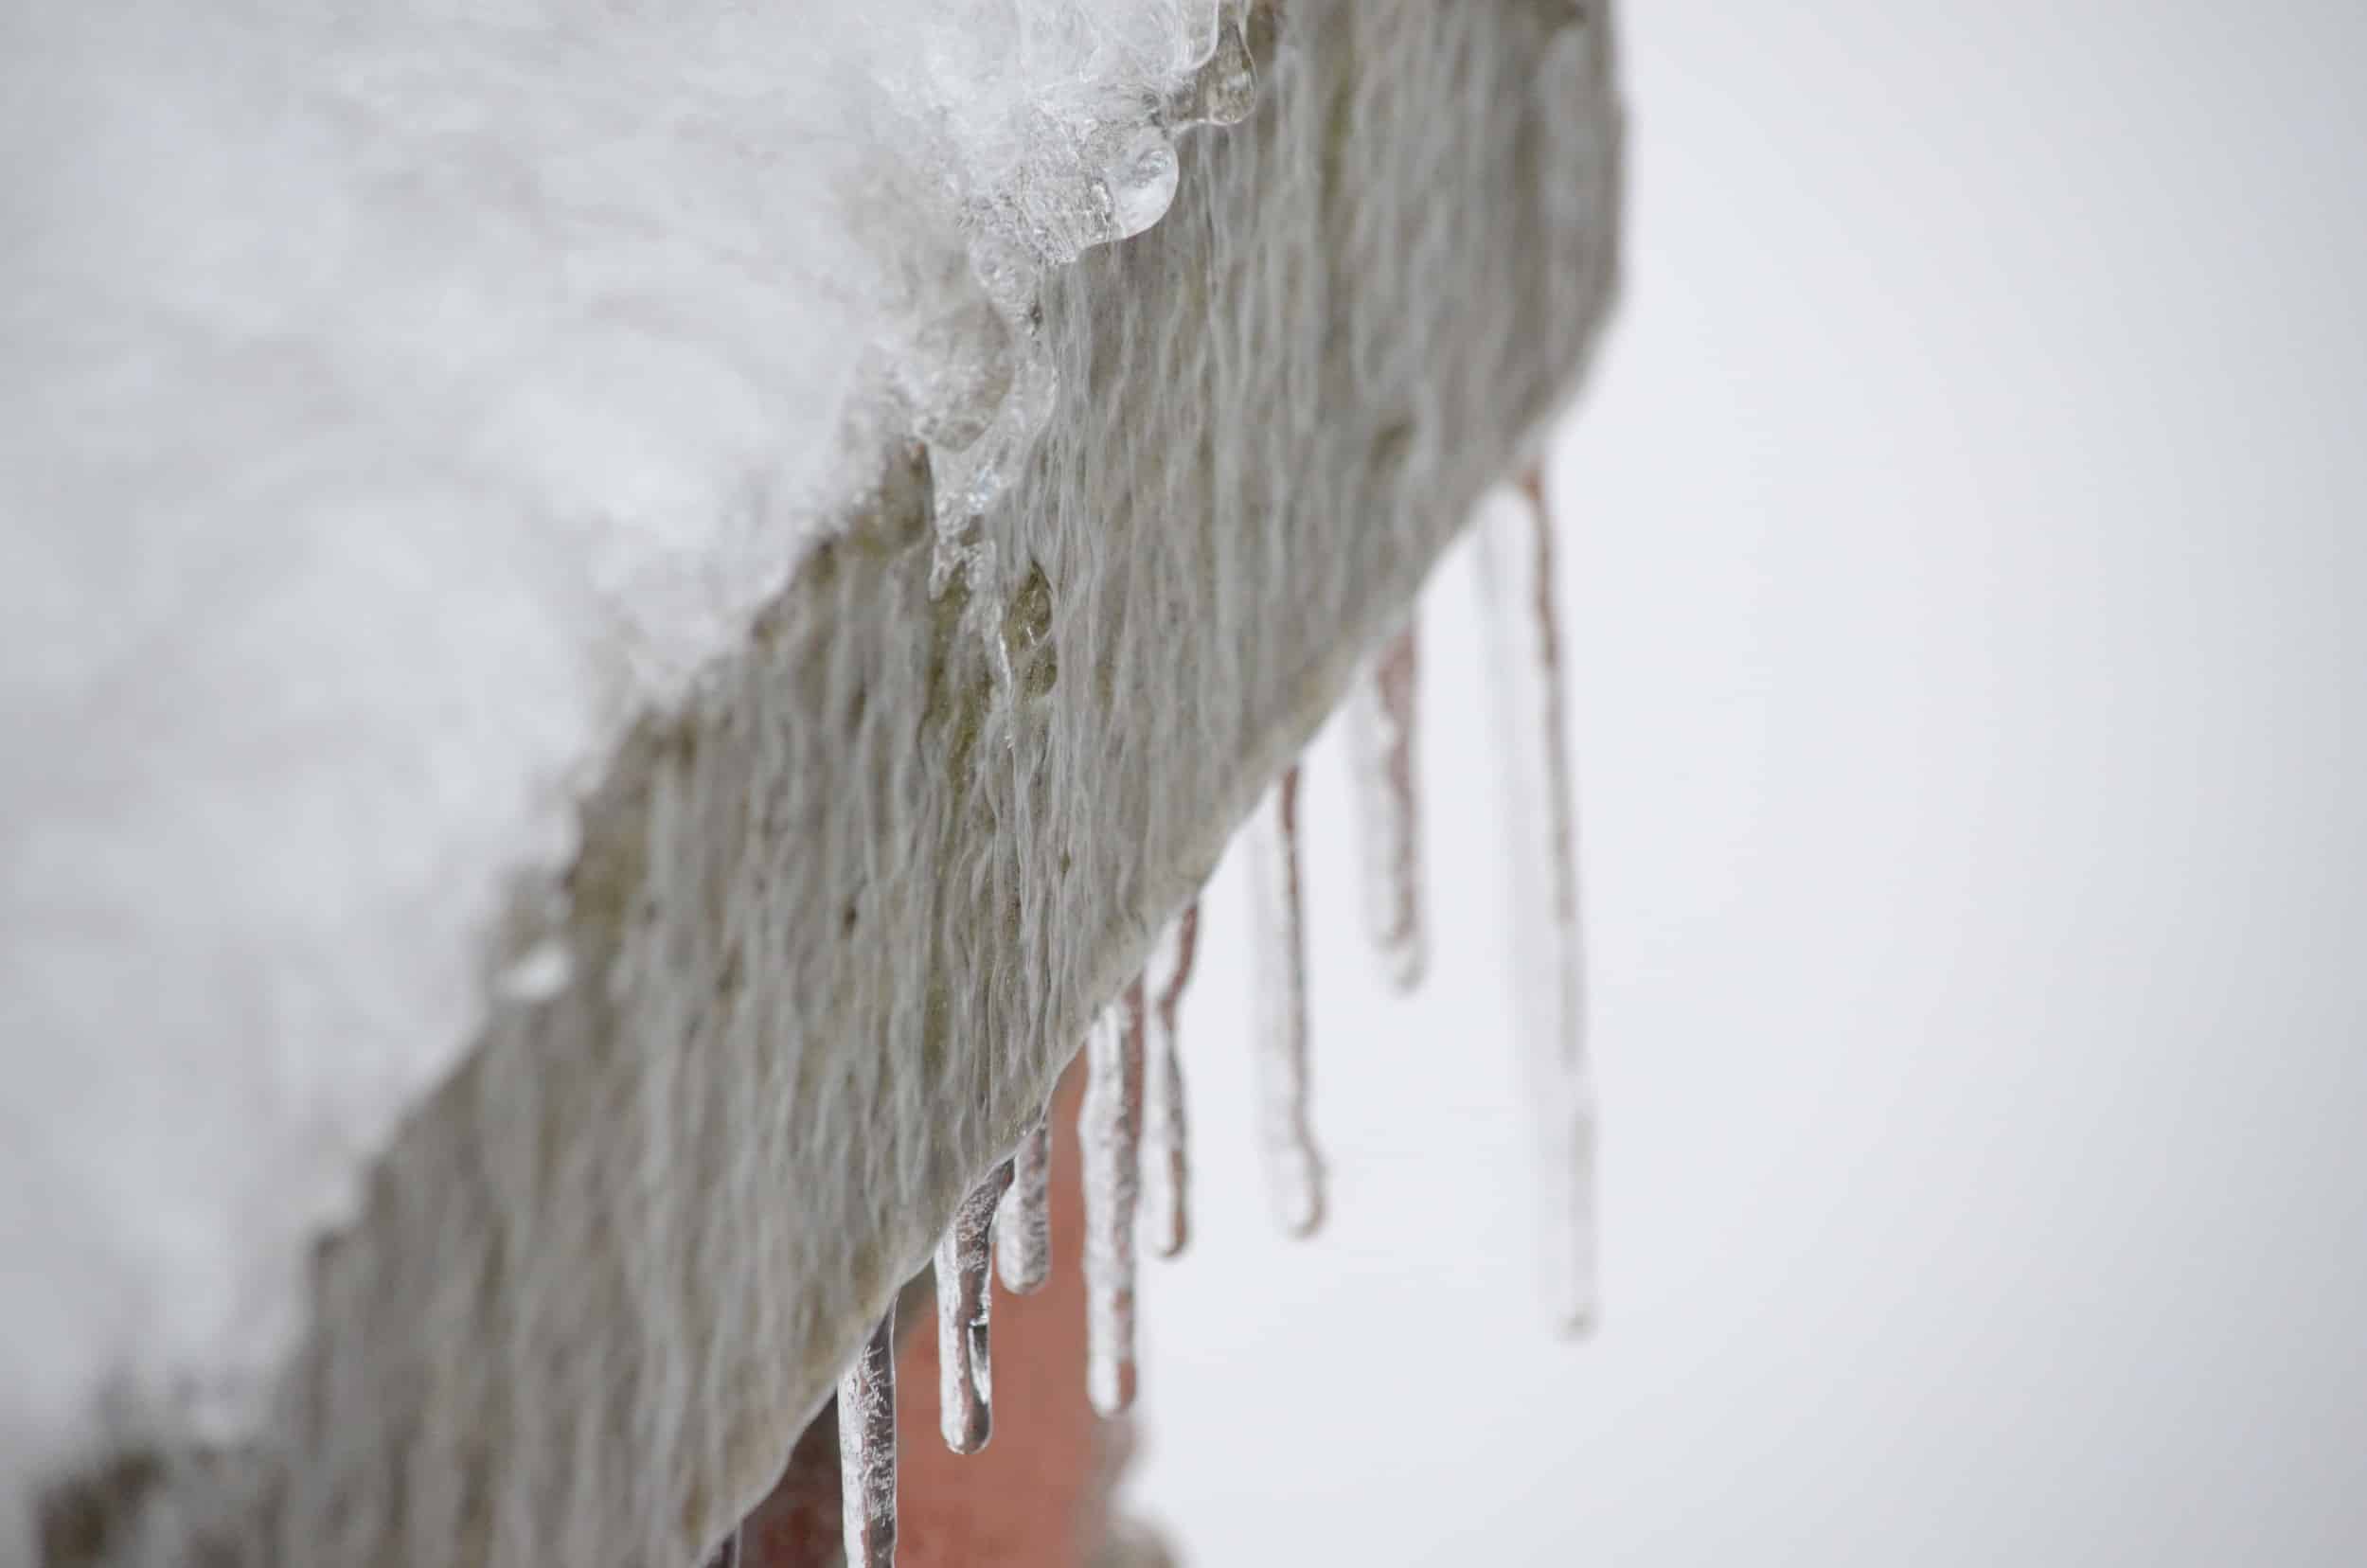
1294,1167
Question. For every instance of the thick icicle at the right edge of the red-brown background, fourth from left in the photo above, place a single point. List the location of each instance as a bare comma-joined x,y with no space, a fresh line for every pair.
1111,1129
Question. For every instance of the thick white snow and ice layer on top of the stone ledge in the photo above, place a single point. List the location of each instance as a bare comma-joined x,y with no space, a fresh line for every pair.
401,399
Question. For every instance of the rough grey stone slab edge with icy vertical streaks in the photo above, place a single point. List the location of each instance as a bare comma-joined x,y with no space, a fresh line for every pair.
841,920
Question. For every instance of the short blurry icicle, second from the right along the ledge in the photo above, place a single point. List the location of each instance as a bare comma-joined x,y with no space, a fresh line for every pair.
1384,712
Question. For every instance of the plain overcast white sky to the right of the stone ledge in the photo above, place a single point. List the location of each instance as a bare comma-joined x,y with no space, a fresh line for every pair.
1963,565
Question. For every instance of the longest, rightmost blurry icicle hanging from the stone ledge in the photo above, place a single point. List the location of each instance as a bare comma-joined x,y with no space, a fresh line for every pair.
1547,880
